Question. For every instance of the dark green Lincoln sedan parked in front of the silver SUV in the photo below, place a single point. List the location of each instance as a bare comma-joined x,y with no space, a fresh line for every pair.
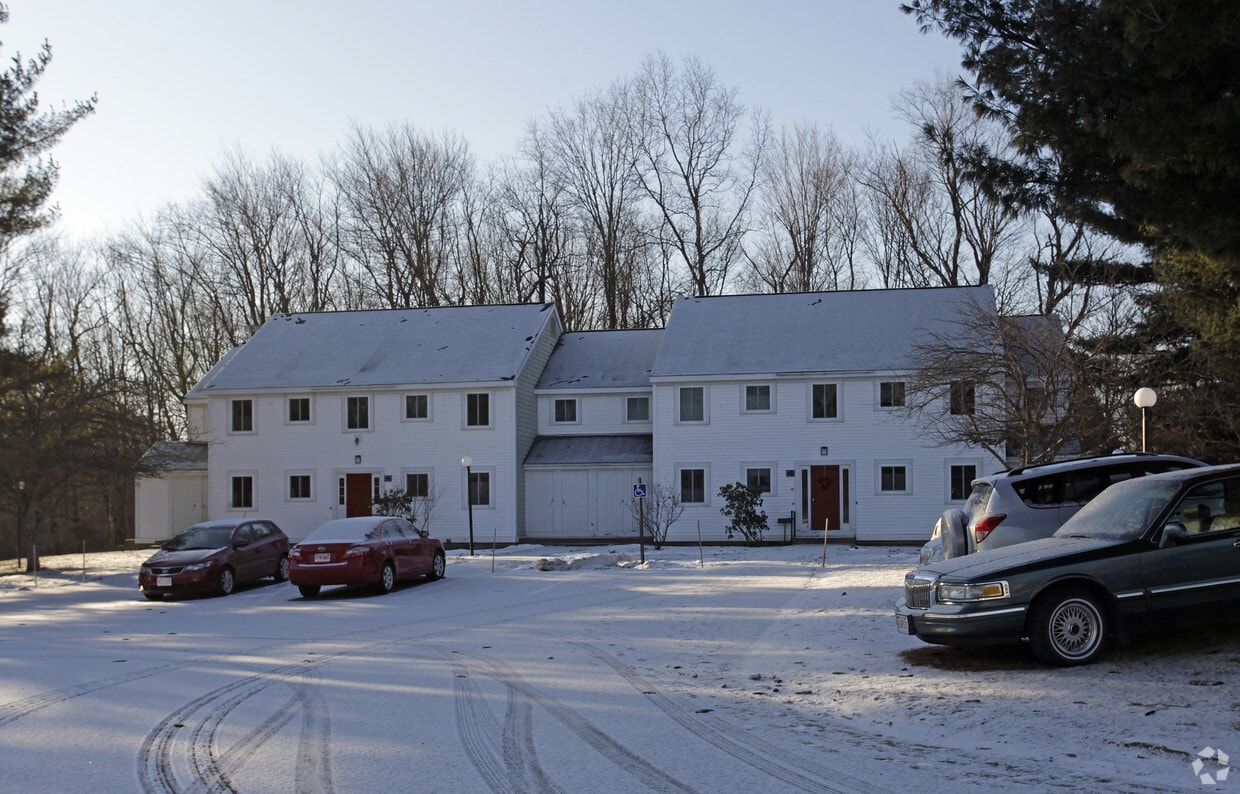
1153,551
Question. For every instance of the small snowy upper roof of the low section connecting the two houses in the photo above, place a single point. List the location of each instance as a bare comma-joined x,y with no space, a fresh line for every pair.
602,360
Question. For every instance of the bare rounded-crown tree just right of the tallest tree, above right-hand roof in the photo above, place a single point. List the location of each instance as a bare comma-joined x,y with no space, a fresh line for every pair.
810,221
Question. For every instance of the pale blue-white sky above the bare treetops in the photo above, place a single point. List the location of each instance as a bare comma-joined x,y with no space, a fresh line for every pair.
180,83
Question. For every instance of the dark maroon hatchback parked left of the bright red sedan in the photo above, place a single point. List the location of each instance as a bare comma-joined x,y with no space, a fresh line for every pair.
214,558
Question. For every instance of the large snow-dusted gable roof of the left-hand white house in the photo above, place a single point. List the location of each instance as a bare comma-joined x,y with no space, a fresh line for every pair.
384,348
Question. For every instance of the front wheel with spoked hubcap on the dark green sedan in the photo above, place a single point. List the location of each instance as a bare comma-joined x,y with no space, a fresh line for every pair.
1068,628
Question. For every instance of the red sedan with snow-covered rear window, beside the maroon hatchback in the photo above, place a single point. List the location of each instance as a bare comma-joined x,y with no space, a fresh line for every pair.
366,550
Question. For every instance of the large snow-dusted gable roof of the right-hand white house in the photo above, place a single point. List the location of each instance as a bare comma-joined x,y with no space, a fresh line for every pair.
844,332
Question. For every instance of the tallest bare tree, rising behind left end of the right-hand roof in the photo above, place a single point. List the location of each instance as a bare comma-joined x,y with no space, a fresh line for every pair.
695,164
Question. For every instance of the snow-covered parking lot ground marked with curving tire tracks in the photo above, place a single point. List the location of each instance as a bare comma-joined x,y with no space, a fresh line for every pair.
581,671
